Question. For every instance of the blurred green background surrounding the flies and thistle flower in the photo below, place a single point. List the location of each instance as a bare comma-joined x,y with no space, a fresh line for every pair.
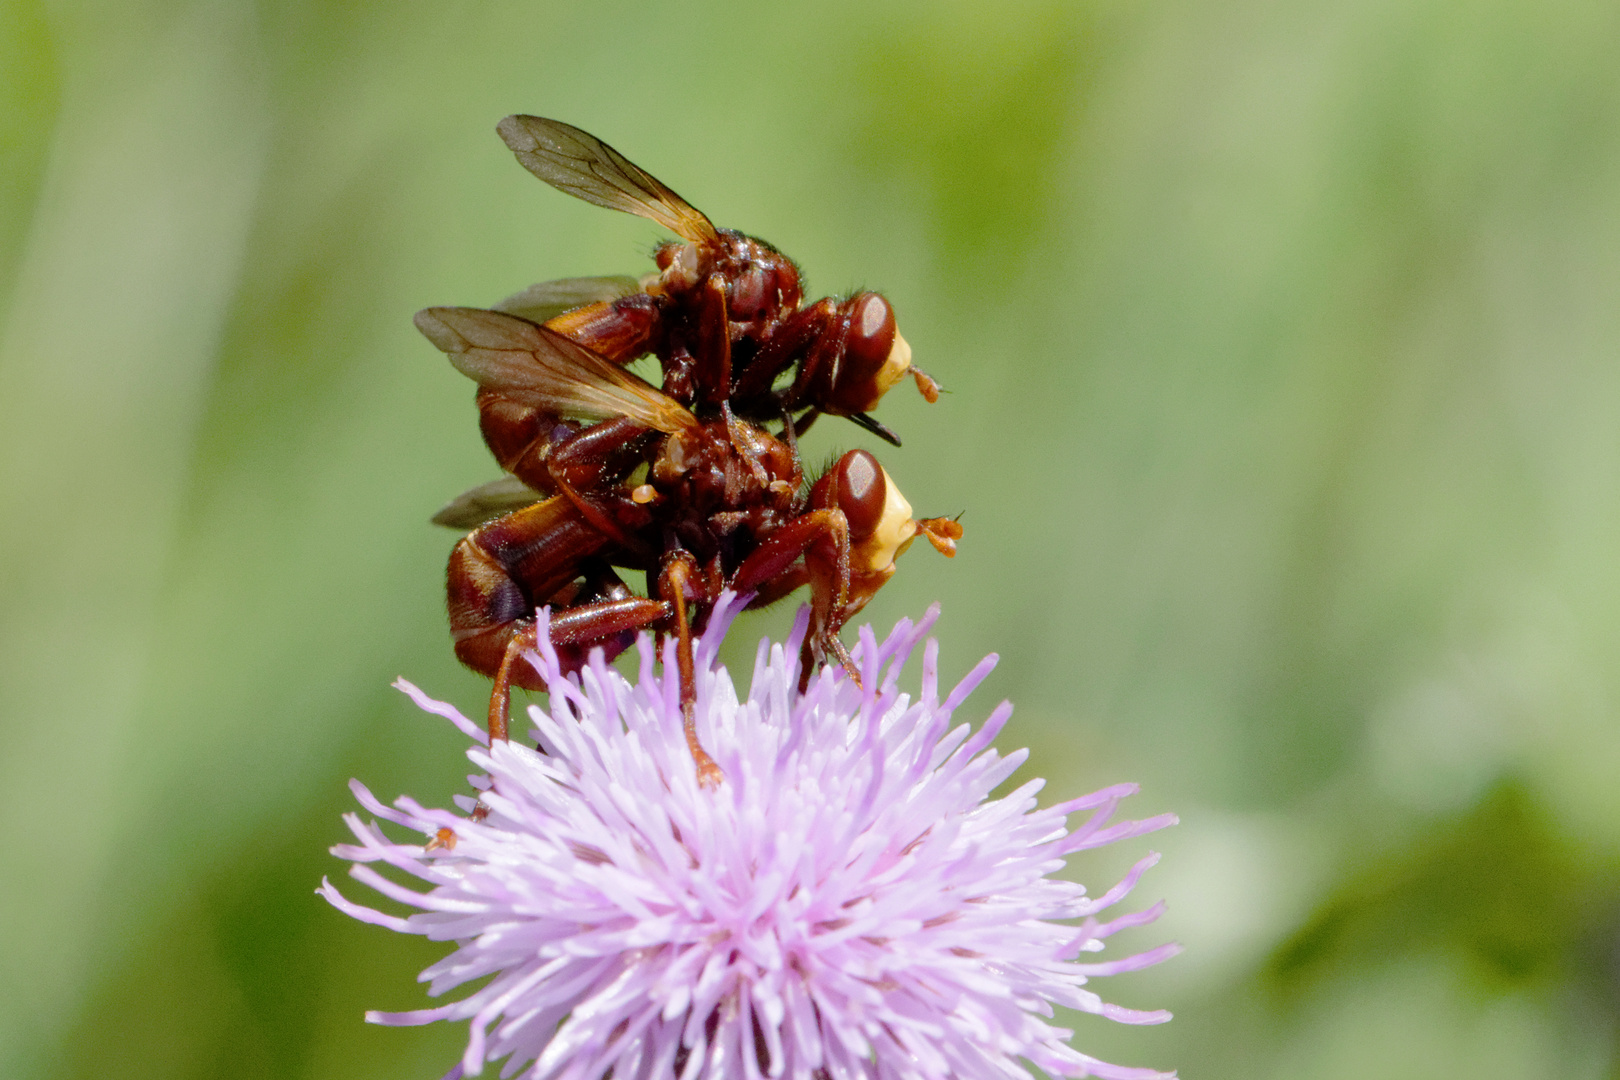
1285,423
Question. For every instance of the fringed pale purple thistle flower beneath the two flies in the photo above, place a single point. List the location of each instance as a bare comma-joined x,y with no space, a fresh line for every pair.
848,904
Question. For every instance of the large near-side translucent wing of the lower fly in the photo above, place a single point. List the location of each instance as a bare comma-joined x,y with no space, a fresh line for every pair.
544,368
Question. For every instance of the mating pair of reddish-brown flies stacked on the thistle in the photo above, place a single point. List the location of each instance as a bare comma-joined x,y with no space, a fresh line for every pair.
683,483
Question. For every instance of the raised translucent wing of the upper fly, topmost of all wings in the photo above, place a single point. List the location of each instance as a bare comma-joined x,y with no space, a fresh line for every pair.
589,169
